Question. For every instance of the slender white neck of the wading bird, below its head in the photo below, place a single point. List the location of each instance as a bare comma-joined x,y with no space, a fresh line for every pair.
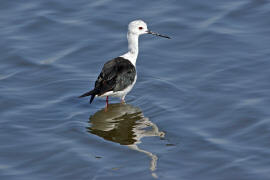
133,48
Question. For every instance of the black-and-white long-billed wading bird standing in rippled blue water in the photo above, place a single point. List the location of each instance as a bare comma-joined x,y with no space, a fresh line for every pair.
119,75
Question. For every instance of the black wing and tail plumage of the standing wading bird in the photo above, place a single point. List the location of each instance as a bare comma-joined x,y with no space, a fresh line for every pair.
116,75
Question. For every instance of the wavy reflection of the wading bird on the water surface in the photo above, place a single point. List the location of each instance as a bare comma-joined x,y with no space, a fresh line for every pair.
126,125
